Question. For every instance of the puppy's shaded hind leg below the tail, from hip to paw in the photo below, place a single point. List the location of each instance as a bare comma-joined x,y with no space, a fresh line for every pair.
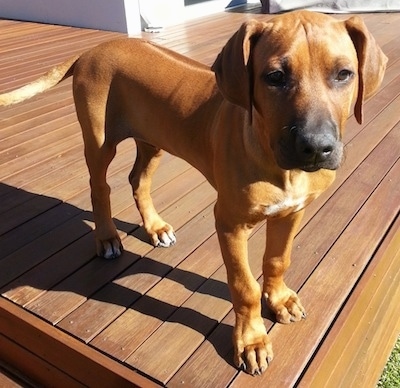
96,122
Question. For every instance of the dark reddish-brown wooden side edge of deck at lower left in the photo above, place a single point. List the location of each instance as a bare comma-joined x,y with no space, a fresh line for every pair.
52,353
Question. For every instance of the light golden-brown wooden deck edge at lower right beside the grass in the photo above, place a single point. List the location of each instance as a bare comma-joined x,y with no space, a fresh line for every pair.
362,337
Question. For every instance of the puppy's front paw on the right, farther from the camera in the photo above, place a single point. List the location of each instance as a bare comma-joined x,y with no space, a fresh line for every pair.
285,304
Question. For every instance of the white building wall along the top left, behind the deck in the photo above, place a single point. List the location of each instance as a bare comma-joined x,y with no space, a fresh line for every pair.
112,15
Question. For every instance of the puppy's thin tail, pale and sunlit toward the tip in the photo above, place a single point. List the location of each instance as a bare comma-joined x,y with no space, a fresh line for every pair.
45,82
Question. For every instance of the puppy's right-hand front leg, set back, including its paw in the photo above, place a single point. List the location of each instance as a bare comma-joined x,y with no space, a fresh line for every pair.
283,301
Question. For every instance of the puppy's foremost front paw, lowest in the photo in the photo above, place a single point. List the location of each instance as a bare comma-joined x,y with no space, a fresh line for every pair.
252,347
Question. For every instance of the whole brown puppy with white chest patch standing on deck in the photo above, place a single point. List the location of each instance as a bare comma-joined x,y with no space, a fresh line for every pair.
264,127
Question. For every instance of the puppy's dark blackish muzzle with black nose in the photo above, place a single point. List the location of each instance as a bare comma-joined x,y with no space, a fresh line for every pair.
310,147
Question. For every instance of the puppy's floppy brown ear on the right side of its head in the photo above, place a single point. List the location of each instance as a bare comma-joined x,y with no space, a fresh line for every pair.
371,62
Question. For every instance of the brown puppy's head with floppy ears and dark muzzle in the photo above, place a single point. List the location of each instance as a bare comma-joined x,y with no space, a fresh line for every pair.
298,76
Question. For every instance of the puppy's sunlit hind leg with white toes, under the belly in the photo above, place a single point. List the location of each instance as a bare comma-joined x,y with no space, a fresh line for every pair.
147,160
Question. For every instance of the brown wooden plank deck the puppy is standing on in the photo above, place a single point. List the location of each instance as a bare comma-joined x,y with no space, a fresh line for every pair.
163,316
